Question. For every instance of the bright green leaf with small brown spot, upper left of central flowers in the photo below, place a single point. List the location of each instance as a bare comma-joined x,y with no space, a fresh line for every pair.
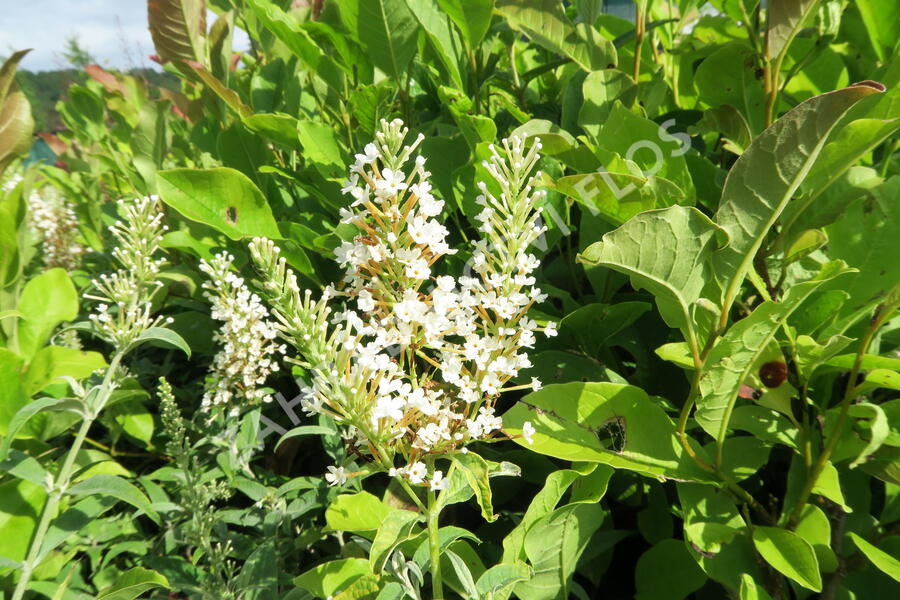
222,198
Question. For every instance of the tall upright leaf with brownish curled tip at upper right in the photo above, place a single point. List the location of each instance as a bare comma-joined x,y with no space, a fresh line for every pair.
763,180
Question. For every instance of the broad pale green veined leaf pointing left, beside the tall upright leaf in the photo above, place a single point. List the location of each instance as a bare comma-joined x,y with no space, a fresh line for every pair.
674,267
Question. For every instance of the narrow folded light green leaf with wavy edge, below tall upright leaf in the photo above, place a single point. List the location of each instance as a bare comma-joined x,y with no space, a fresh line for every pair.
731,360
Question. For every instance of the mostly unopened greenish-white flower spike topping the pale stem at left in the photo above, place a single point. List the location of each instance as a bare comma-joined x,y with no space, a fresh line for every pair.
125,310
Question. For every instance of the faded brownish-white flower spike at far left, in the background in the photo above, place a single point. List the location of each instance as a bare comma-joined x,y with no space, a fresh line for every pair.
55,224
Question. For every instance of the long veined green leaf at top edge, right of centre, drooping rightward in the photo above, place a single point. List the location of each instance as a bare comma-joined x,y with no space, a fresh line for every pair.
546,23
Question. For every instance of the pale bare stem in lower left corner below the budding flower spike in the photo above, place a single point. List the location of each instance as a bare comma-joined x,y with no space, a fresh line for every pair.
62,481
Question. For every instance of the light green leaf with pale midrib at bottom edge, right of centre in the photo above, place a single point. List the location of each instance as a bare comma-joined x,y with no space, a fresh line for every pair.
553,546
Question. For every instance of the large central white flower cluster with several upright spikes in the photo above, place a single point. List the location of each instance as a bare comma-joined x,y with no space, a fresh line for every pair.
416,360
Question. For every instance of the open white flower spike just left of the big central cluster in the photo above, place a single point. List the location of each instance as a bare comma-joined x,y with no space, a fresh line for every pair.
248,353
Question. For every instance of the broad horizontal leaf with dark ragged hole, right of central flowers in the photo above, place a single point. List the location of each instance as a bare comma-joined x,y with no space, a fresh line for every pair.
608,423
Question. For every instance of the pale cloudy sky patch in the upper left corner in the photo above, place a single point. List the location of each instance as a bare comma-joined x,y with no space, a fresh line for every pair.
114,32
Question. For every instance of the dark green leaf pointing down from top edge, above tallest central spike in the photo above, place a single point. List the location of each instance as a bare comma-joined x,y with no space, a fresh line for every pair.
387,31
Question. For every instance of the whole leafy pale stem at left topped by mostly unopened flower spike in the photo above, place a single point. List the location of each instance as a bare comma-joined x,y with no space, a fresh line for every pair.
124,318
